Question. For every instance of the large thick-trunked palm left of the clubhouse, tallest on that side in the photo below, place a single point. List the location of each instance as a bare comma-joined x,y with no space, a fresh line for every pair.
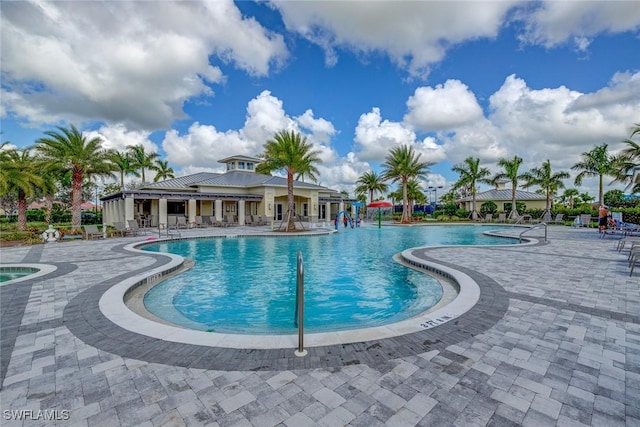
69,149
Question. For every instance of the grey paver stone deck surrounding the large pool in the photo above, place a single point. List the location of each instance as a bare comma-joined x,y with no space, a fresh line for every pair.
554,340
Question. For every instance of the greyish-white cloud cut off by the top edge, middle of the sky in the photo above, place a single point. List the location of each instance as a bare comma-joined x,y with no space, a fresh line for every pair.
413,34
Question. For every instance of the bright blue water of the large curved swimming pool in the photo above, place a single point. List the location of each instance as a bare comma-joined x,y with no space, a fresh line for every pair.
247,285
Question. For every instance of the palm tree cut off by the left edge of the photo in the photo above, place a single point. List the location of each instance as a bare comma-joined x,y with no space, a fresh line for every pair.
20,175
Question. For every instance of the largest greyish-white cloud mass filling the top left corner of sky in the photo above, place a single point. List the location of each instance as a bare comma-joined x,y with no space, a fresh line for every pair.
123,62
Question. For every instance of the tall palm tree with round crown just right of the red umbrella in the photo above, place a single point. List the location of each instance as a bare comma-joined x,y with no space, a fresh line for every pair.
402,165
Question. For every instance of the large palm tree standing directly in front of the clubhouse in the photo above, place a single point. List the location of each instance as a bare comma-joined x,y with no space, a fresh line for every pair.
289,151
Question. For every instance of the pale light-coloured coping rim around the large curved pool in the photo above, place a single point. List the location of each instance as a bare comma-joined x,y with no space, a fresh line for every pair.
113,306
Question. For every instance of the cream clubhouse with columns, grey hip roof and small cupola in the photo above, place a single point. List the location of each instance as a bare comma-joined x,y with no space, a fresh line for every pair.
239,192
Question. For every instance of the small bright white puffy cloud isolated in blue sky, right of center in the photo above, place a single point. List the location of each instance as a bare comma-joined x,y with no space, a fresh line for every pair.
443,107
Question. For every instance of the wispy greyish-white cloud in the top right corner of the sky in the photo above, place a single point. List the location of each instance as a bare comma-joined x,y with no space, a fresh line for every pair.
555,22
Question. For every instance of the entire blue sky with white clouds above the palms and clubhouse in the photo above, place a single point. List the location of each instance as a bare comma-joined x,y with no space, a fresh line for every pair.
198,81
